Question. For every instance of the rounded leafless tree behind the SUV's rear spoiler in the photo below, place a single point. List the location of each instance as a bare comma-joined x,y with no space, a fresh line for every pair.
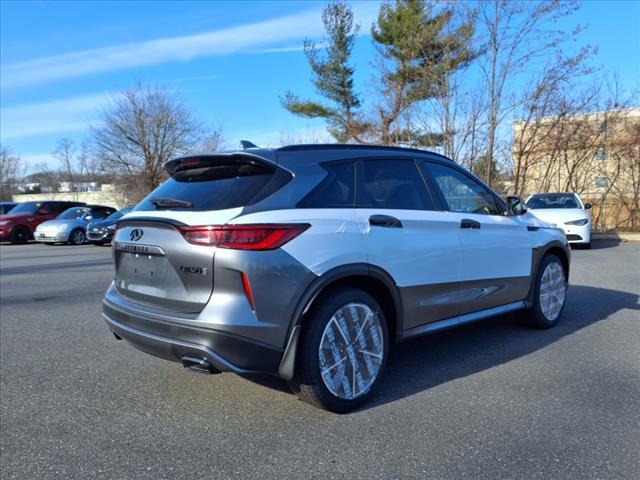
141,129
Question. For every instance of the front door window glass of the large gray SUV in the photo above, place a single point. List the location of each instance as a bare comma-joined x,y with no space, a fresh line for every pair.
461,193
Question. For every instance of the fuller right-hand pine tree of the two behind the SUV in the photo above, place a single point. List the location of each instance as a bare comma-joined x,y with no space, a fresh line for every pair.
418,51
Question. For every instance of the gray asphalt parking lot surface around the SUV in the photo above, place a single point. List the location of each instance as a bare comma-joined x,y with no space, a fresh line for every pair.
492,400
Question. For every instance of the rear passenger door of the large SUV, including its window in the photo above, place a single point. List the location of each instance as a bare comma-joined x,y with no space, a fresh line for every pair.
406,236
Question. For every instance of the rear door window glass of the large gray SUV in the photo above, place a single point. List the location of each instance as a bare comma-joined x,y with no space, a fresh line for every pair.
393,184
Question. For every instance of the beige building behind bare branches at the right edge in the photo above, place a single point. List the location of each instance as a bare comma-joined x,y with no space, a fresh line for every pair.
596,155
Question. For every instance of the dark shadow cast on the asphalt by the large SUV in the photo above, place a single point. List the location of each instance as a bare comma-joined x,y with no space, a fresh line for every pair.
425,362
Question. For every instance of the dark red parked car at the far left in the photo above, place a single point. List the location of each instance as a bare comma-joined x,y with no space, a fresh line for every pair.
20,223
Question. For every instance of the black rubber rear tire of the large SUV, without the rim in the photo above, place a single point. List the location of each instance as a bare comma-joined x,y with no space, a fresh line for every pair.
307,382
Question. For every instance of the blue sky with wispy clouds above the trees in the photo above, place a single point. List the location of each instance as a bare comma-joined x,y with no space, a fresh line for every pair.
60,61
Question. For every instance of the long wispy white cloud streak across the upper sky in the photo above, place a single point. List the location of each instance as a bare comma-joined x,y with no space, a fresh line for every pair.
258,36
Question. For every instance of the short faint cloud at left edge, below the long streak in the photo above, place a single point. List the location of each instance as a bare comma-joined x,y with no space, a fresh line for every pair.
53,116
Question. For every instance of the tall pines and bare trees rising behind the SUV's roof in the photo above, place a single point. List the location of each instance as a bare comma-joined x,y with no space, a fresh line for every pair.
453,76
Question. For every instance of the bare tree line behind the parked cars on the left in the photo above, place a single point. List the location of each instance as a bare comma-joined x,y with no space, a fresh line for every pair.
138,130
